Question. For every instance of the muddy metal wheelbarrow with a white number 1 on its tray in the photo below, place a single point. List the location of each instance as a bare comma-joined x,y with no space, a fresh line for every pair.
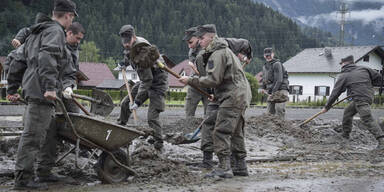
92,133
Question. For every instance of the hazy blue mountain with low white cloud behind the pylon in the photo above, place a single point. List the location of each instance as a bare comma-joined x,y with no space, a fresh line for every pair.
364,18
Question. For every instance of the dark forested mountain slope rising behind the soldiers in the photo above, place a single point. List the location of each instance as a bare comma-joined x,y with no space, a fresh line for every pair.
163,22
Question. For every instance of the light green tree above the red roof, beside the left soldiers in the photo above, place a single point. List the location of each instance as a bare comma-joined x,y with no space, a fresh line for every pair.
89,52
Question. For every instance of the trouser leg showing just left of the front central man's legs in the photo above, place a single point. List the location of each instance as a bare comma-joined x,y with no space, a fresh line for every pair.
208,127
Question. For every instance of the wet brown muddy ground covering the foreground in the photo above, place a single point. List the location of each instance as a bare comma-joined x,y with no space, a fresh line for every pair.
281,157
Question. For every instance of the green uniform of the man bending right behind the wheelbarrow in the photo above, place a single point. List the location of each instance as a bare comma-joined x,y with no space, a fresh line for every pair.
153,85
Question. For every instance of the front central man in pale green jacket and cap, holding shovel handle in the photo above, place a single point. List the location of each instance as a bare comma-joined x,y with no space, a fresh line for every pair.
233,94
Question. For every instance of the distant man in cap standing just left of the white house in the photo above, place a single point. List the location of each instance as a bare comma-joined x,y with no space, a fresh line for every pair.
275,84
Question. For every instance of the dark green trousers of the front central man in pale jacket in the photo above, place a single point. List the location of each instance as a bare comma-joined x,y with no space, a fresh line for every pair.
228,134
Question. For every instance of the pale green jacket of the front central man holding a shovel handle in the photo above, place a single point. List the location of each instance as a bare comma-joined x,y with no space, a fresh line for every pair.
225,75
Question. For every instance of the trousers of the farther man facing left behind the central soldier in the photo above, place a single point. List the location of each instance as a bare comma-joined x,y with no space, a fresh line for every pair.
192,100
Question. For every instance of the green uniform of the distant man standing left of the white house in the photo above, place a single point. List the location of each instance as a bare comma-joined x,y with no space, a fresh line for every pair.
275,81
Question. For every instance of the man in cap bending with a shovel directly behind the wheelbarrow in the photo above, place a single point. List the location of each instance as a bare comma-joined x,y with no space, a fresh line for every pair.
142,56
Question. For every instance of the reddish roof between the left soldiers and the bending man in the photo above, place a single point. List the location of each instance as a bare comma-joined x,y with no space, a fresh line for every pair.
96,72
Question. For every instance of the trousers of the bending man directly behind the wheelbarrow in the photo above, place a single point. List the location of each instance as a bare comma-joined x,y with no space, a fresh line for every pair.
156,106
